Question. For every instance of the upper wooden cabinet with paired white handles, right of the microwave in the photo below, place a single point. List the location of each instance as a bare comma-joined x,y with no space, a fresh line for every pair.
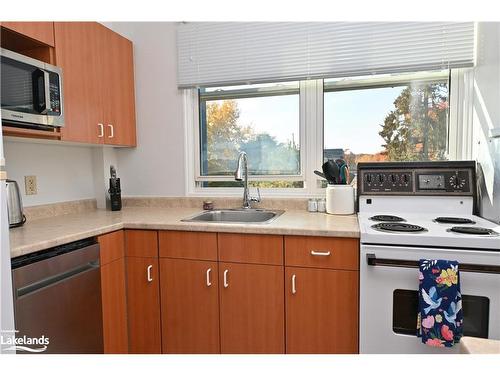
98,84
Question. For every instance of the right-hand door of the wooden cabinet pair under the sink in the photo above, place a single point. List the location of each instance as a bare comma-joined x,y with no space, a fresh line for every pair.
251,308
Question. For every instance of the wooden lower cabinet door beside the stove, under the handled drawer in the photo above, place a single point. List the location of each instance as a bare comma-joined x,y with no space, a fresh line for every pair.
321,311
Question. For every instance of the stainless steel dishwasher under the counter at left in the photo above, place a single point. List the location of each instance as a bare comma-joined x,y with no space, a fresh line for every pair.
57,294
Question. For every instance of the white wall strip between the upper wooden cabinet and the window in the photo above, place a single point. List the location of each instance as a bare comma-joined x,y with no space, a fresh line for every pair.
156,166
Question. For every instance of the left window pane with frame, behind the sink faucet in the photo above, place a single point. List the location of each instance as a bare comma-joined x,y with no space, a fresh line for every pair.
262,120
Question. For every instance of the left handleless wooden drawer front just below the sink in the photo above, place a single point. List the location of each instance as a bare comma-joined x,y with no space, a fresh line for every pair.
188,245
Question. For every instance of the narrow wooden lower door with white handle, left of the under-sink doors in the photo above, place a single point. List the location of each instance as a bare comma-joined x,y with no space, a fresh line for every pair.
143,305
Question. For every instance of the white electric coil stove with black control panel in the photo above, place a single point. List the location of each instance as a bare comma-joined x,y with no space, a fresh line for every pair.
412,211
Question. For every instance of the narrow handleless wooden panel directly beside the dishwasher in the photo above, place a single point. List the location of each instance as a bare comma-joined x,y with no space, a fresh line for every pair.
114,299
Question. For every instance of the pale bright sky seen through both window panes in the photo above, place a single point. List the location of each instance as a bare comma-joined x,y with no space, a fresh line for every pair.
352,118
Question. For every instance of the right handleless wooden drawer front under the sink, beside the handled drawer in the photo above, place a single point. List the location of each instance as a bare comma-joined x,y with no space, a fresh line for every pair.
251,248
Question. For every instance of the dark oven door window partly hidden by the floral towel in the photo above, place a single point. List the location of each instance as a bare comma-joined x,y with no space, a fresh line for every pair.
405,308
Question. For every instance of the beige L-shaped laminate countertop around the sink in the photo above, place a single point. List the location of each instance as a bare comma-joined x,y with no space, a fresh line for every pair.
57,230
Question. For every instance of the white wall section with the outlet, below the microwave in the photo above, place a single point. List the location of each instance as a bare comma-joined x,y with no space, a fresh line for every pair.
63,172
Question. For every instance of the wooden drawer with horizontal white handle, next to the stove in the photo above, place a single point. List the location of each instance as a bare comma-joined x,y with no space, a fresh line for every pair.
322,252
